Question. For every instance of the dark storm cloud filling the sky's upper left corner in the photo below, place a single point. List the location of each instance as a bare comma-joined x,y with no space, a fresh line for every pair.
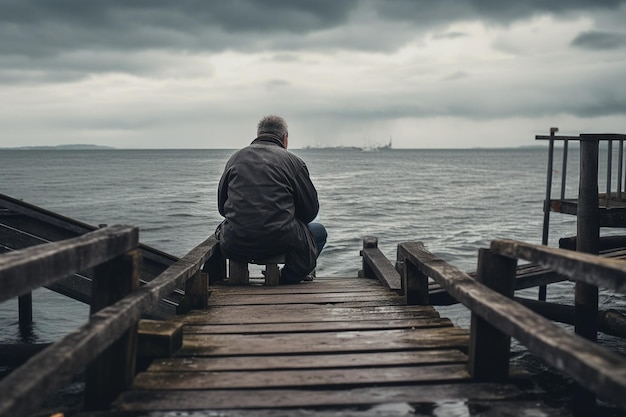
41,27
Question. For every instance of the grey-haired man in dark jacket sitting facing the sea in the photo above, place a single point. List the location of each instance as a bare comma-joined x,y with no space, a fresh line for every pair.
269,202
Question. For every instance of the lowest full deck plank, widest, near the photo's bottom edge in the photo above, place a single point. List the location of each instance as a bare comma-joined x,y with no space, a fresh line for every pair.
141,400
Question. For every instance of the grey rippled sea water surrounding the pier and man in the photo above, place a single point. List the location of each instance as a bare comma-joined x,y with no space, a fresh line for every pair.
454,201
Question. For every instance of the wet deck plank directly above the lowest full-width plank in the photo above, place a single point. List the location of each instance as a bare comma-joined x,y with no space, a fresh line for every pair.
308,378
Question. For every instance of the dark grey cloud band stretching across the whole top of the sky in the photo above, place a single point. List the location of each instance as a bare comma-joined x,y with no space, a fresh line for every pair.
49,27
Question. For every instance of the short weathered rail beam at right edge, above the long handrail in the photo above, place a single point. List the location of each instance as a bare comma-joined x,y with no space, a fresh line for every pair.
591,269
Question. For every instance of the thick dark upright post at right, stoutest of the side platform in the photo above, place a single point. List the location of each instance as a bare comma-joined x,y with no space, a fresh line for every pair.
588,241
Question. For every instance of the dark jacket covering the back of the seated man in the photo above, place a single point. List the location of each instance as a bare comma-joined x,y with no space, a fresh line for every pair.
263,193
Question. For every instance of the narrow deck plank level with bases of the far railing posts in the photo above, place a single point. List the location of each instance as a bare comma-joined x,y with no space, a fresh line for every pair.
324,298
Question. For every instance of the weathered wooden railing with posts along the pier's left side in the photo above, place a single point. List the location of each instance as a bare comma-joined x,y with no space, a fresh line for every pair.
106,344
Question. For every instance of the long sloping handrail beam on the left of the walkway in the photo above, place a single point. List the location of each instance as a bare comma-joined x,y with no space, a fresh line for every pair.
23,388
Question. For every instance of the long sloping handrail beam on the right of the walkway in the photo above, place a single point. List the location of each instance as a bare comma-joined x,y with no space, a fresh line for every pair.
597,368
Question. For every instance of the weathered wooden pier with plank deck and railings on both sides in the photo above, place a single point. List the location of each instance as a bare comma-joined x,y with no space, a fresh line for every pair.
335,346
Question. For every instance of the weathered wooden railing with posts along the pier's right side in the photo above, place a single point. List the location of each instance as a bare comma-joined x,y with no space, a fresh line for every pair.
496,317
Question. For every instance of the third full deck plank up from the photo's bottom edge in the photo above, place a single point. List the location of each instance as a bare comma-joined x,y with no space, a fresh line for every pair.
340,360
